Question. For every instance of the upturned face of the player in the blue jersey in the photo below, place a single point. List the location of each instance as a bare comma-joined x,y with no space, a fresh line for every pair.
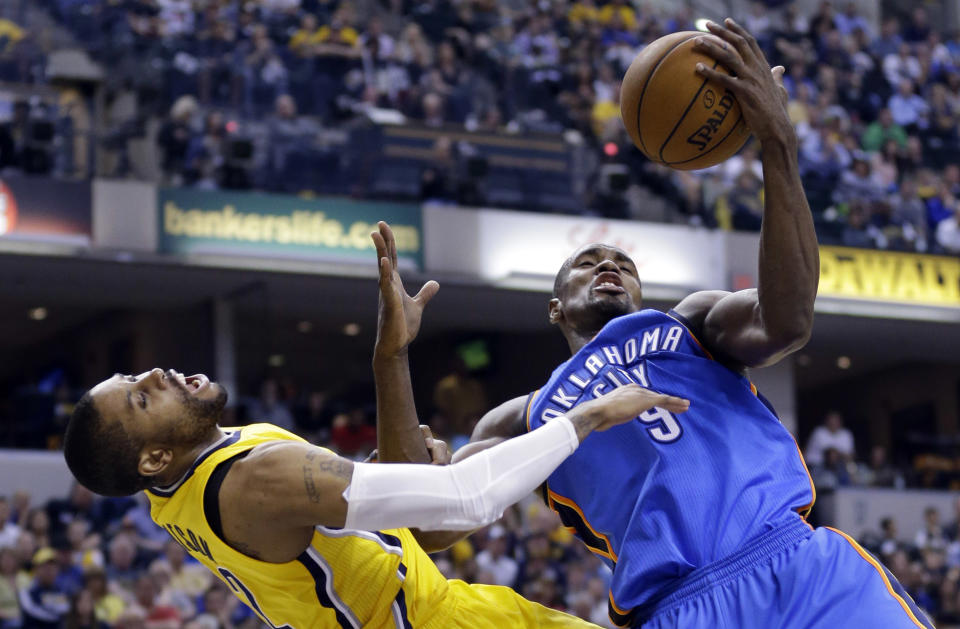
601,284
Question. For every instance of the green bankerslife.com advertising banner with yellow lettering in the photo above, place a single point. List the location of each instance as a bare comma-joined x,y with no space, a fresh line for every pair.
269,225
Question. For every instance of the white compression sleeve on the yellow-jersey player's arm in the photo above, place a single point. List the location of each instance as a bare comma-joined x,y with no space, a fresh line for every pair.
457,497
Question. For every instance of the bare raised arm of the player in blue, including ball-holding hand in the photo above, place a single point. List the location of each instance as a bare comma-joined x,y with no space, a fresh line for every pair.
759,326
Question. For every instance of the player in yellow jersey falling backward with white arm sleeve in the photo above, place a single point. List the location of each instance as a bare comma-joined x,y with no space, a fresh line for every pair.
309,539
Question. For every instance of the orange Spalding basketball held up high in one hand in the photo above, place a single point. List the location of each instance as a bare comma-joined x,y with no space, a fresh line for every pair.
675,116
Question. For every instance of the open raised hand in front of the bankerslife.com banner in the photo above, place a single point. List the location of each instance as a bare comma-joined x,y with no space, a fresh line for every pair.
399,314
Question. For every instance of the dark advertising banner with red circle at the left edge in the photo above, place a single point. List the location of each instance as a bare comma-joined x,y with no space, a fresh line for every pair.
45,209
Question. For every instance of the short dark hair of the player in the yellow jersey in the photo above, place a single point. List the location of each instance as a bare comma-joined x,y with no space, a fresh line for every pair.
102,455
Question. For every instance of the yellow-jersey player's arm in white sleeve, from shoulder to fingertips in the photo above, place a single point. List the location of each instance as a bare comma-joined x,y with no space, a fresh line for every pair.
289,487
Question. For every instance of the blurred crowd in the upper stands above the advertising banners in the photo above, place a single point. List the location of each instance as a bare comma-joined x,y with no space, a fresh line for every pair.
876,109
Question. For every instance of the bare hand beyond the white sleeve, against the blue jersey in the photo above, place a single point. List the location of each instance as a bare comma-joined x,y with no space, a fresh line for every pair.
622,405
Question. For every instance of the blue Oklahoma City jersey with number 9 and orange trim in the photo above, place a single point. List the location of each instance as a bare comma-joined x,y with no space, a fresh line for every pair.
665,494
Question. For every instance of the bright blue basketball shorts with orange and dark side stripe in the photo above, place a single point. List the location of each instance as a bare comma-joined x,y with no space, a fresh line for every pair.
791,577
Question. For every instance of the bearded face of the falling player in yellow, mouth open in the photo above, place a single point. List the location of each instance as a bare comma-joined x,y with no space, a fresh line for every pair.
162,406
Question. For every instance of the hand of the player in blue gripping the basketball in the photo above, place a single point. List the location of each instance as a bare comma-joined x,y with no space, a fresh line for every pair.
758,89
